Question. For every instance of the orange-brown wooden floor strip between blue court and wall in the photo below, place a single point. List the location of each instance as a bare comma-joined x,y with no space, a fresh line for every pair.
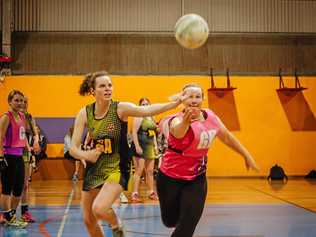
299,192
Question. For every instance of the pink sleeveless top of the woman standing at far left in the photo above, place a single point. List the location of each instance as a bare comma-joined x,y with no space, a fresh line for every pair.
15,139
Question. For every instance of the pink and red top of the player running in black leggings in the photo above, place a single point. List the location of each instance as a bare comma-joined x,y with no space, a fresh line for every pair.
186,158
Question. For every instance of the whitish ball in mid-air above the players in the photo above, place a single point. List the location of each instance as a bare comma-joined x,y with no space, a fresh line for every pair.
191,31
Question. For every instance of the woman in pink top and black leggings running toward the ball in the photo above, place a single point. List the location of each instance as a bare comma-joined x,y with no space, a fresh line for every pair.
181,180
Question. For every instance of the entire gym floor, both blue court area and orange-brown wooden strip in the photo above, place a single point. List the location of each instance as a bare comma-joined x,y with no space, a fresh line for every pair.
235,208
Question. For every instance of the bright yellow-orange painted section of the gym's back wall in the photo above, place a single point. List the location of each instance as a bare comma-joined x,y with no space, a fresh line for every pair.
264,128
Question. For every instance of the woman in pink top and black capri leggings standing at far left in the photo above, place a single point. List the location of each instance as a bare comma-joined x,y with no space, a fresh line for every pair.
12,144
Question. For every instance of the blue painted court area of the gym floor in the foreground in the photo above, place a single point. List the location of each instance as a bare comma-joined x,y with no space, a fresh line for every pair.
144,221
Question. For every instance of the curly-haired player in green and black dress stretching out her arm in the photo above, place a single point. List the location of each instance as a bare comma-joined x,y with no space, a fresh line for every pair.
107,169
